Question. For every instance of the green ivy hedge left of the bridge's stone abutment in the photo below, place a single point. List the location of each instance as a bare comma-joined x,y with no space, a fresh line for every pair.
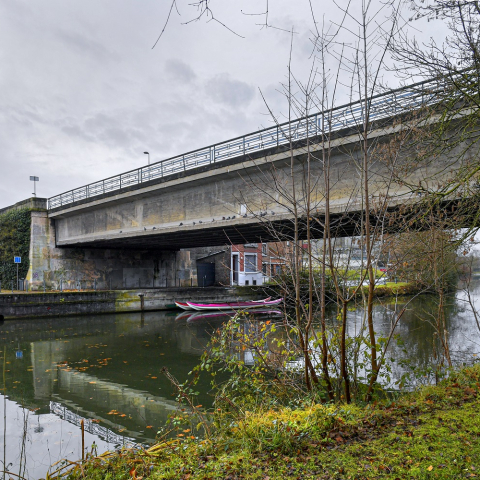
14,241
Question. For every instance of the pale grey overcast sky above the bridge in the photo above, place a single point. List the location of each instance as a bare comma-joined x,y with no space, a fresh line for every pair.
83,94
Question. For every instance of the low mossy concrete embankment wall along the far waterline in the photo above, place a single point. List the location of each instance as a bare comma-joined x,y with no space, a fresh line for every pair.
56,304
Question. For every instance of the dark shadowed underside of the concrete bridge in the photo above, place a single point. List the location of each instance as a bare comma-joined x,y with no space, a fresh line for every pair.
450,214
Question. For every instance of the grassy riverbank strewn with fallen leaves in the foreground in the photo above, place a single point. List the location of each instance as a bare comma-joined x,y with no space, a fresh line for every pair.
431,433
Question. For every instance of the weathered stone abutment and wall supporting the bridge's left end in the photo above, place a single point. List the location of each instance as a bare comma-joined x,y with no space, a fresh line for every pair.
78,268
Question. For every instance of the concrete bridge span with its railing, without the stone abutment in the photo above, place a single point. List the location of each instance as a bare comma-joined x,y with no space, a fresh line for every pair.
225,193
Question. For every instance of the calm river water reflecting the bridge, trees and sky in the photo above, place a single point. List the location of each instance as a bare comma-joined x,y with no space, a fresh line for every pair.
106,370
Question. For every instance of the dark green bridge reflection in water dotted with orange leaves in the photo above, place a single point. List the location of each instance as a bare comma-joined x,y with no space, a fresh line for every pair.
53,368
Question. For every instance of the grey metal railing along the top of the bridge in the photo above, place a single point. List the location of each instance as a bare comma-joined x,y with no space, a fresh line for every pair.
381,106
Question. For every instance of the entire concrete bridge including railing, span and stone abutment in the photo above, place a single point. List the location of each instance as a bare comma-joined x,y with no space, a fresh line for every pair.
140,224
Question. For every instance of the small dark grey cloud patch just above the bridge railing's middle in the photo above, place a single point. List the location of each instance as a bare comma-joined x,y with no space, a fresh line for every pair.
228,91
